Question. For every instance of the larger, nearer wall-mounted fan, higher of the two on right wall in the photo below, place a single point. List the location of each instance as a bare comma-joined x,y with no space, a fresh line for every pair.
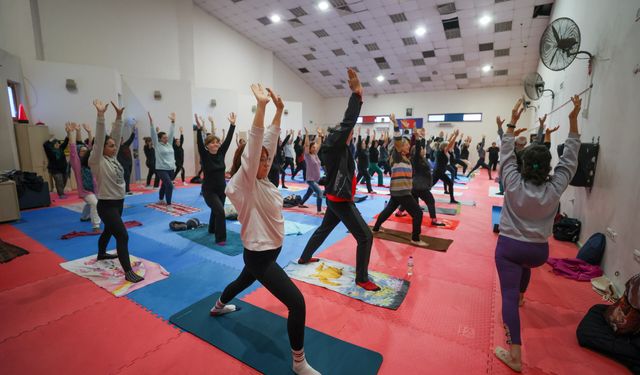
560,44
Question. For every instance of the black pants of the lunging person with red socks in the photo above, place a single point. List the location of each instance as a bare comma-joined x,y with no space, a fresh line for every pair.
348,214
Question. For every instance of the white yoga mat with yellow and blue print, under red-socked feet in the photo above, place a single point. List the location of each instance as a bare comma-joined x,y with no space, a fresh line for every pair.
341,278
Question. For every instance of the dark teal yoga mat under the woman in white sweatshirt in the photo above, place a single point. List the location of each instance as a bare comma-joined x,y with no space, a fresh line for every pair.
259,339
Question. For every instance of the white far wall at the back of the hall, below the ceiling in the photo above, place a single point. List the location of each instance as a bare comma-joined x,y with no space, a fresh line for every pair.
492,102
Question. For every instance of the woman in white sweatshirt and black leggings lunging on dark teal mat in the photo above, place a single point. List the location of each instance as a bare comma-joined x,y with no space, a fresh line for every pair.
259,206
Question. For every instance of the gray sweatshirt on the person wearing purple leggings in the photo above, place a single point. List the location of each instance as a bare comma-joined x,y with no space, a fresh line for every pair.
528,211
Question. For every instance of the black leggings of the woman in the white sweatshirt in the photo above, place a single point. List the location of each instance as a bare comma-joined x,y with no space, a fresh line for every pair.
262,266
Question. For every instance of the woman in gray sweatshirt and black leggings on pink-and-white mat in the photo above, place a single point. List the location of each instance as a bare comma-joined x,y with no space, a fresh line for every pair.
109,176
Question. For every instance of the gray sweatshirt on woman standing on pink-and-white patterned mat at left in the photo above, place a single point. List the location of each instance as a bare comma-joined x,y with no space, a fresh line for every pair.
107,171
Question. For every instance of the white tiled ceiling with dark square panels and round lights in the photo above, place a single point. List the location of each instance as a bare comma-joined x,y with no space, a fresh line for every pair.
410,67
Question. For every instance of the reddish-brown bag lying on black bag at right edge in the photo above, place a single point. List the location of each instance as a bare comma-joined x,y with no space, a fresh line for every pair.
624,315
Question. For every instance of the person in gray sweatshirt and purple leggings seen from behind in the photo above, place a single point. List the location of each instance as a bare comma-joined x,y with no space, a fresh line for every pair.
531,198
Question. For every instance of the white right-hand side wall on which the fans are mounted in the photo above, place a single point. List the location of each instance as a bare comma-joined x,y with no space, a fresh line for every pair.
614,200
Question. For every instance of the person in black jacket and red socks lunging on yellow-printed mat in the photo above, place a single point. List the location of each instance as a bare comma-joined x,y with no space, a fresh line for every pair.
341,188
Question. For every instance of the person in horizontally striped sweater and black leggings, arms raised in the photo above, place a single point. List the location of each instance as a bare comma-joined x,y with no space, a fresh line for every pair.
401,186
